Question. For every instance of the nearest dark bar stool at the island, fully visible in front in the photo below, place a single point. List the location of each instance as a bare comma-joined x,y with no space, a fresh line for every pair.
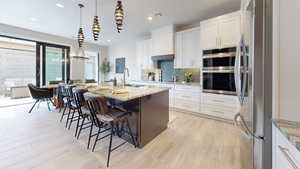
102,116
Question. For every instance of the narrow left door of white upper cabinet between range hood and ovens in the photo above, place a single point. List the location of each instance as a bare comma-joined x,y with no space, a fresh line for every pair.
178,50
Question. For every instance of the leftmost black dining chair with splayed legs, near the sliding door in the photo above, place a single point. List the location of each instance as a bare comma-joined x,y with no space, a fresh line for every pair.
40,95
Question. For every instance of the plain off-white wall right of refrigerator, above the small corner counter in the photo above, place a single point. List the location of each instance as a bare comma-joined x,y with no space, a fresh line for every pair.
287,59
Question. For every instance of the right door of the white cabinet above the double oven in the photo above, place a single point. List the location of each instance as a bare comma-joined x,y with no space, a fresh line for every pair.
230,31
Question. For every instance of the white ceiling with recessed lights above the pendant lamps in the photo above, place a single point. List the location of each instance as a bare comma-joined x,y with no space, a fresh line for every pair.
65,21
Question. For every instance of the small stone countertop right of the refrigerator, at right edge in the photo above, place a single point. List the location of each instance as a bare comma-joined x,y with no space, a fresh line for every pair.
289,129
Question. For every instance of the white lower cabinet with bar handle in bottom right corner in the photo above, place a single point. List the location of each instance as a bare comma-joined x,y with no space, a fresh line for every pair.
285,154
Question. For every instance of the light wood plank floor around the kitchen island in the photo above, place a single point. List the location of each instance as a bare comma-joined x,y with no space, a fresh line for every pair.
39,141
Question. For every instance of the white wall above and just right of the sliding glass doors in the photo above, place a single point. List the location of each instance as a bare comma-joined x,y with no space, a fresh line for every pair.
77,66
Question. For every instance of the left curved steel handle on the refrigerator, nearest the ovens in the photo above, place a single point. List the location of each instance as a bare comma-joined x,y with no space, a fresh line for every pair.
237,71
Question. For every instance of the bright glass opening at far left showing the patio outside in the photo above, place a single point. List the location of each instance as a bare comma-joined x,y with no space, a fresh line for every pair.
17,67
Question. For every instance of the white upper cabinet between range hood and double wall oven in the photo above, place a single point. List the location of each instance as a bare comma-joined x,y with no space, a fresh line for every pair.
188,51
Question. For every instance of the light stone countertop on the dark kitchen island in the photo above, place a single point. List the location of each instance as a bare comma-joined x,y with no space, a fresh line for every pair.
125,93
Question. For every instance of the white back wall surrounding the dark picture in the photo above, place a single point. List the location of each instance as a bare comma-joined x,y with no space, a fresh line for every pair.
127,50
